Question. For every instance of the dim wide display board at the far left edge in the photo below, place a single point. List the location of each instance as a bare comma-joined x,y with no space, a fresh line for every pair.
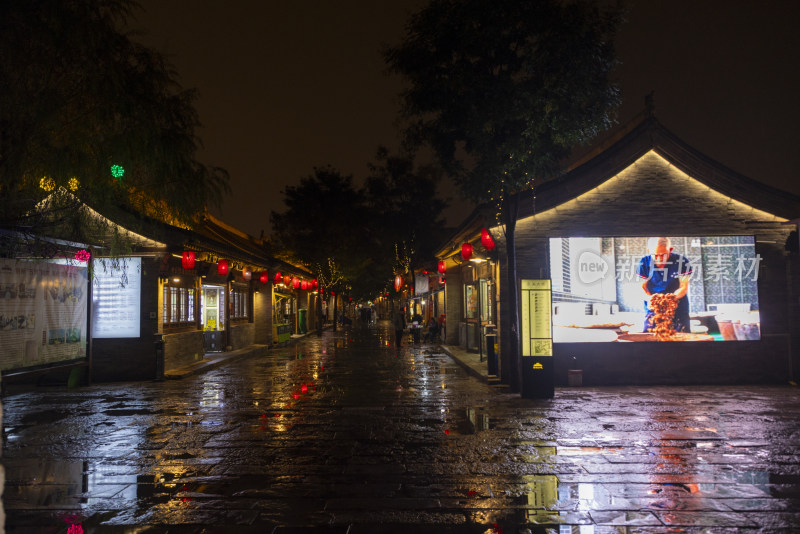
42,312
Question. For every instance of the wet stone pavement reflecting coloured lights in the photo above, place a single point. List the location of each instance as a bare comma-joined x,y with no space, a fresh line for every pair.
344,433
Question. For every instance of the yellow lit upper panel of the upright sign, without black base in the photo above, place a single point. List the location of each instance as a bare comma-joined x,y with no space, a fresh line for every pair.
537,328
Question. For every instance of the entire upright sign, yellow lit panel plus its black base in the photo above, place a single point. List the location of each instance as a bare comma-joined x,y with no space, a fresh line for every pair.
537,339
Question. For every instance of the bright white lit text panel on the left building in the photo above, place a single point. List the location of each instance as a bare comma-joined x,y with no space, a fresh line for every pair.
116,297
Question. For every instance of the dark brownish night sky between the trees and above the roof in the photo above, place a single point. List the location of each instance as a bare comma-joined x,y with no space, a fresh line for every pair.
287,86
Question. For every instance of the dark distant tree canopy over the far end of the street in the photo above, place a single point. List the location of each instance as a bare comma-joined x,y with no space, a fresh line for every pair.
353,234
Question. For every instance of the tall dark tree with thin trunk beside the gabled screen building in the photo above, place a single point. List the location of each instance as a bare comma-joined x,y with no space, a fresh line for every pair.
502,92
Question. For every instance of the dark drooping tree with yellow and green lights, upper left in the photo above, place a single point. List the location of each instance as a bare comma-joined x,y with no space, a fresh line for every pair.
87,115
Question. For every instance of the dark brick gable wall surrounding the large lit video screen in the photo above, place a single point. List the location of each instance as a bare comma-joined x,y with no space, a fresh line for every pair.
651,198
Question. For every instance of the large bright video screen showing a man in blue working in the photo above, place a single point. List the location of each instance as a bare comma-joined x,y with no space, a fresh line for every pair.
626,289
